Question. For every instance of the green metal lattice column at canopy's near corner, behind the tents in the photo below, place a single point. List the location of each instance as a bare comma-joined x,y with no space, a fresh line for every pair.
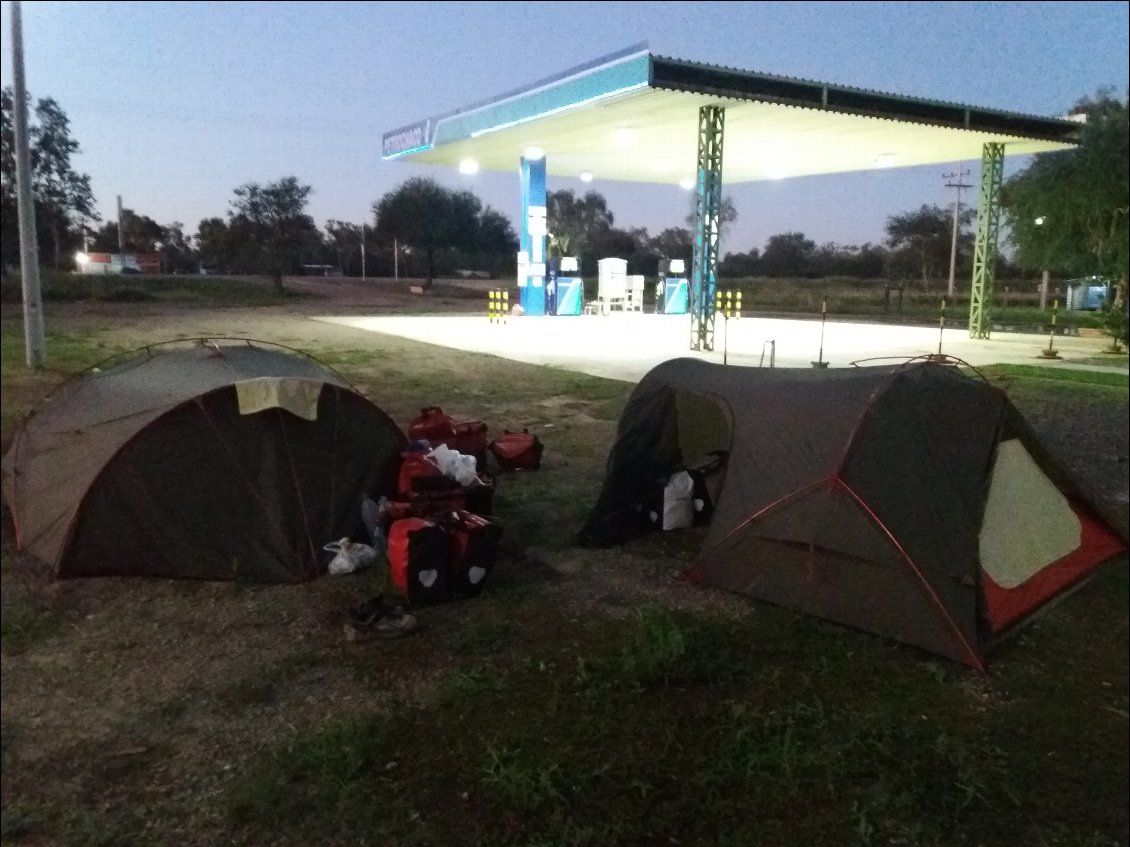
708,219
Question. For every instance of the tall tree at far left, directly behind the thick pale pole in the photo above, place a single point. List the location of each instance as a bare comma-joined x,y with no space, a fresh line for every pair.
60,193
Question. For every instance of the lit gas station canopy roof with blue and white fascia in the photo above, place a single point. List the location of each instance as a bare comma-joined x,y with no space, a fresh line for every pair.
634,117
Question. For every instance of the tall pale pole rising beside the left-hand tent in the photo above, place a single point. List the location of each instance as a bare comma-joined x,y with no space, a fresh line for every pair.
29,243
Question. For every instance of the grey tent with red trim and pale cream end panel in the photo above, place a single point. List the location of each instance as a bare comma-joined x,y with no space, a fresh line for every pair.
911,501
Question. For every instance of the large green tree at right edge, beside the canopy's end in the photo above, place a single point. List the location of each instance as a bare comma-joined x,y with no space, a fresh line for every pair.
1067,212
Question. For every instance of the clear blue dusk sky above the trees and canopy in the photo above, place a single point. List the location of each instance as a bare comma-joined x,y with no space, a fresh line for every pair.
177,104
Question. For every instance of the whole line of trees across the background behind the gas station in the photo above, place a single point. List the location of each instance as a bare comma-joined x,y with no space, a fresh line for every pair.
1066,213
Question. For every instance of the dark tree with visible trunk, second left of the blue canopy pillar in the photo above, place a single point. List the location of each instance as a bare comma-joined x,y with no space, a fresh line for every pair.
272,222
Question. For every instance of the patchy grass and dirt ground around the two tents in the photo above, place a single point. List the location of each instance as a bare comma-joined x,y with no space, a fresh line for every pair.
587,698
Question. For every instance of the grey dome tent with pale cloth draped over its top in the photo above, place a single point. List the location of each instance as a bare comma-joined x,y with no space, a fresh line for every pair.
214,460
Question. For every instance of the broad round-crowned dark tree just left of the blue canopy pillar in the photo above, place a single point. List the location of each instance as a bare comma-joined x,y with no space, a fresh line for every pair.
429,217
